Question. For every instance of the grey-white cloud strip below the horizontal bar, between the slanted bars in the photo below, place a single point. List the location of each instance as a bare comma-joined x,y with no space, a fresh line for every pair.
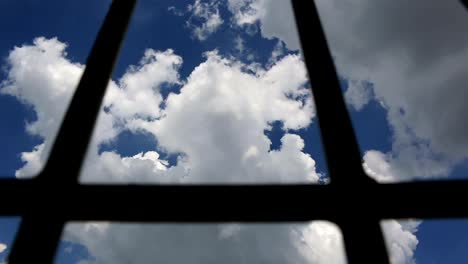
319,242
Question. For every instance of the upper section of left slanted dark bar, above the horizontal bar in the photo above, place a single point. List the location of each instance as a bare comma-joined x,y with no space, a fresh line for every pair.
78,124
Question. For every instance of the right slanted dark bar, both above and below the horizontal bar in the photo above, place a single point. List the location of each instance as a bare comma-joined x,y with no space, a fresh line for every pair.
341,148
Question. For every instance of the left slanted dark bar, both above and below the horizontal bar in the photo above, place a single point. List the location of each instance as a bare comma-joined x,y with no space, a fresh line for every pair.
38,236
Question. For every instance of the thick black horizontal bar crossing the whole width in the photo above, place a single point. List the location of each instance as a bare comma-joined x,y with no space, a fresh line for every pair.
246,203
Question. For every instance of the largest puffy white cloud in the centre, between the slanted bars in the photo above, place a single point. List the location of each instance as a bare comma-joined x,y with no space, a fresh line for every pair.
225,110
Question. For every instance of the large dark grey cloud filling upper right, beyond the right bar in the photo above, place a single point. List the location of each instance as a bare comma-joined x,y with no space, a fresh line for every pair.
417,67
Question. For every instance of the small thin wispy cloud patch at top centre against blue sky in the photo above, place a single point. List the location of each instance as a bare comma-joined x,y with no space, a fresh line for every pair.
205,18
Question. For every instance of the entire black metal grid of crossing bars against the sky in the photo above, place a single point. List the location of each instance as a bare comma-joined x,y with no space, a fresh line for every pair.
352,200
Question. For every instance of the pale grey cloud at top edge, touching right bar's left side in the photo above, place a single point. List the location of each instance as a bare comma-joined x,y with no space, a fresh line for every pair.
276,18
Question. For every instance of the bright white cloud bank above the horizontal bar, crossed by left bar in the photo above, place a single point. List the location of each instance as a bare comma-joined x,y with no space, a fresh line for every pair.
224,105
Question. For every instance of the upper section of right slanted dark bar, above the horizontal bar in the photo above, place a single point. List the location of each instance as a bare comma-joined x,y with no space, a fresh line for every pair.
341,150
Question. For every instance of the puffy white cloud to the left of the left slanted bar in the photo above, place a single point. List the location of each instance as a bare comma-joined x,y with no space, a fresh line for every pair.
41,77
